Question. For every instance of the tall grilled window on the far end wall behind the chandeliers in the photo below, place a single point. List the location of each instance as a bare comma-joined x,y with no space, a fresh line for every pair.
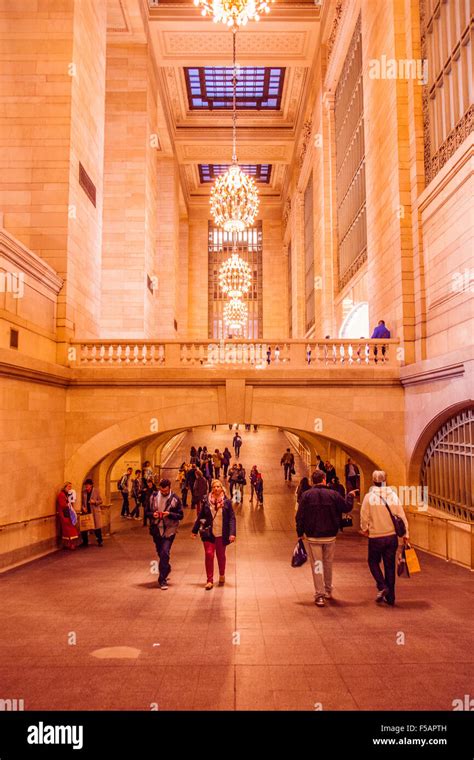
249,246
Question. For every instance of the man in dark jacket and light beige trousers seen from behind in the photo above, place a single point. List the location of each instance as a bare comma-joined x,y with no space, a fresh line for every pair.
318,519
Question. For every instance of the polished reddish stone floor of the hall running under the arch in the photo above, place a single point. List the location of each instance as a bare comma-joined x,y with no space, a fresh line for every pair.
259,643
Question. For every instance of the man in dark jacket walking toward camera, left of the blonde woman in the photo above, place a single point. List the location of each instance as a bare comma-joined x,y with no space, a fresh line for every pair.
165,511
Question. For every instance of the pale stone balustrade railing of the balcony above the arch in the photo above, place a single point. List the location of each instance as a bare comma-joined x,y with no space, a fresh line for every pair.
289,354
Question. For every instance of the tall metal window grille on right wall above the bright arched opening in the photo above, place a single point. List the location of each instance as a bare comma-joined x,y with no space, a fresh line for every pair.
350,163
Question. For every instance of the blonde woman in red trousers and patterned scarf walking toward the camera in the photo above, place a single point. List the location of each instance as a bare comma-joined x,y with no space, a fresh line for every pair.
216,525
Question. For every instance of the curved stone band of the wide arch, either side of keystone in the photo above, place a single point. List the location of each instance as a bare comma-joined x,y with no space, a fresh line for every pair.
130,431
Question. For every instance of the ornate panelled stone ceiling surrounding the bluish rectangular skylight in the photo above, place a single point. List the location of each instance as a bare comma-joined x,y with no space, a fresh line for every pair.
181,37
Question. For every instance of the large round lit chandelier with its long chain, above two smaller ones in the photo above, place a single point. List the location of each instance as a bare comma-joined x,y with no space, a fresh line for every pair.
234,197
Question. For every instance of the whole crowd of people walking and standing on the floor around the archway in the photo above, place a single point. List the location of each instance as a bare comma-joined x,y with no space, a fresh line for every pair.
322,510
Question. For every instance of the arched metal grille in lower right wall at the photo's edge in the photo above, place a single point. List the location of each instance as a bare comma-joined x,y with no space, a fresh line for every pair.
447,469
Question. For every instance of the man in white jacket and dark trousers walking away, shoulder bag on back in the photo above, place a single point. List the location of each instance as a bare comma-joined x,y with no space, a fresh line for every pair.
376,523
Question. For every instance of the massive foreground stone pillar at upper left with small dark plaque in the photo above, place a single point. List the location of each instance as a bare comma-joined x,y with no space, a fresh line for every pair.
54,84
